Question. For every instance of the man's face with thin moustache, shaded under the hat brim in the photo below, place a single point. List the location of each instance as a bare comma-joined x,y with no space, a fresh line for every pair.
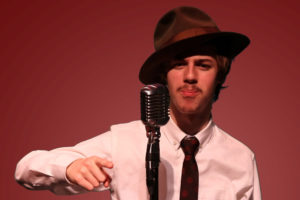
192,82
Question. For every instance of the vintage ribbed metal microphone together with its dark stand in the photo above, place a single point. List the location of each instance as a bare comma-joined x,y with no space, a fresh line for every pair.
154,113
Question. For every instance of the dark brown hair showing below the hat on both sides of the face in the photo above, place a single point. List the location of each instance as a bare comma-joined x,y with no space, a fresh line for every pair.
223,63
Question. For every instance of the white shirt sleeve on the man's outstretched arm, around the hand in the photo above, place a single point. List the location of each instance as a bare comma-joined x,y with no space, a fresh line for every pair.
46,170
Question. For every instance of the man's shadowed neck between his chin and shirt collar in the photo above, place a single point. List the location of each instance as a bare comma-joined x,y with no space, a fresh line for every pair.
191,124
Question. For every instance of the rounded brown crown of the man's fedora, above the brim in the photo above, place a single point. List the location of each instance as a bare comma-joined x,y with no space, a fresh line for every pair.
182,23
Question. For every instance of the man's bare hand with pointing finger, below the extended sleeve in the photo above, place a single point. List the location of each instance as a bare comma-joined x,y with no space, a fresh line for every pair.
89,172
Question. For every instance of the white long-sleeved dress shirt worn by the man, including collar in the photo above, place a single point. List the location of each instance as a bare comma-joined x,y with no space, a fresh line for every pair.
227,168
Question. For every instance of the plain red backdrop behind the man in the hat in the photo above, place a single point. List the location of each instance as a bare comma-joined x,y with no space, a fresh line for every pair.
68,70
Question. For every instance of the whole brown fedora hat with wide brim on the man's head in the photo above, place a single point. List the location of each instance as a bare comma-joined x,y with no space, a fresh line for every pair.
186,31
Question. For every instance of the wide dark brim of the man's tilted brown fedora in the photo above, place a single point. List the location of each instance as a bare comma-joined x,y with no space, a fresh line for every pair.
227,44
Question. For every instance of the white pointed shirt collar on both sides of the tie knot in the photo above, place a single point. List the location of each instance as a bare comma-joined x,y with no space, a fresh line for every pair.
174,134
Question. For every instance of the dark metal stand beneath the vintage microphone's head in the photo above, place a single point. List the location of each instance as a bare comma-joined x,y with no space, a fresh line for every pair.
152,160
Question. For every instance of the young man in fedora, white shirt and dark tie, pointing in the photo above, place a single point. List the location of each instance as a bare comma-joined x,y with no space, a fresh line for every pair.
192,58
